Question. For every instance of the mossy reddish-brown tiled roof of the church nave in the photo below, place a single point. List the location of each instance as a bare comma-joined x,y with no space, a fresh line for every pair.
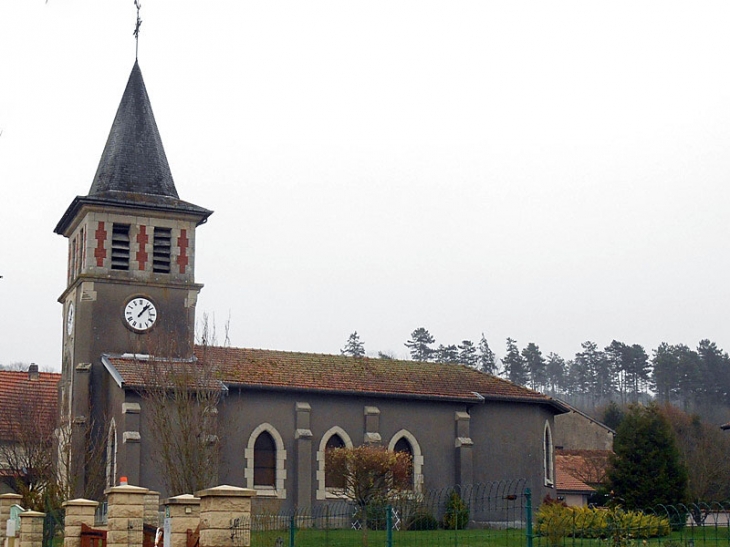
269,369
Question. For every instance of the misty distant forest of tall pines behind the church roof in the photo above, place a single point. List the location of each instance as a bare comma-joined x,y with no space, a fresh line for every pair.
695,380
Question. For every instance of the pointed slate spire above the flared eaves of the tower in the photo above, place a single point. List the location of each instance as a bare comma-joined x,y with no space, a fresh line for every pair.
134,159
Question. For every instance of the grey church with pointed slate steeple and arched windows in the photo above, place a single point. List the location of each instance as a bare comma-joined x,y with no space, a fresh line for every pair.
129,319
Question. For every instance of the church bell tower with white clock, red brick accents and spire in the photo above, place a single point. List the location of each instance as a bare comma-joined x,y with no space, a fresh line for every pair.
131,258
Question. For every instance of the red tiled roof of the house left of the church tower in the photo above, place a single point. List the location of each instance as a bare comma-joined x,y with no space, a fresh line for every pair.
33,399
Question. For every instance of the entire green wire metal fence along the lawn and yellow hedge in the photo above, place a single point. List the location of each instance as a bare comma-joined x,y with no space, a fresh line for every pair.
493,515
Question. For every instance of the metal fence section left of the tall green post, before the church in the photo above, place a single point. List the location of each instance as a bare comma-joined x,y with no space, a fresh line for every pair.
476,515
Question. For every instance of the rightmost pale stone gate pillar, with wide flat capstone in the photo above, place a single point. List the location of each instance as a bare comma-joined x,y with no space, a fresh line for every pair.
218,507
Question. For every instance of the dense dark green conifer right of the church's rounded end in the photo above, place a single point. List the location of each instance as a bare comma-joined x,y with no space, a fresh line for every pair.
645,469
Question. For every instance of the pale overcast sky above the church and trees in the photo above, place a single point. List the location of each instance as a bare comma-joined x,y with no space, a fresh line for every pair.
555,171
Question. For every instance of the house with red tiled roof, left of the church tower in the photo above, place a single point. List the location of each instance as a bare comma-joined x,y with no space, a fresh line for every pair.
28,417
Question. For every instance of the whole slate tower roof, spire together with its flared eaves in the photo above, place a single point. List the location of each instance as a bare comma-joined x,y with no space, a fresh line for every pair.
133,169
